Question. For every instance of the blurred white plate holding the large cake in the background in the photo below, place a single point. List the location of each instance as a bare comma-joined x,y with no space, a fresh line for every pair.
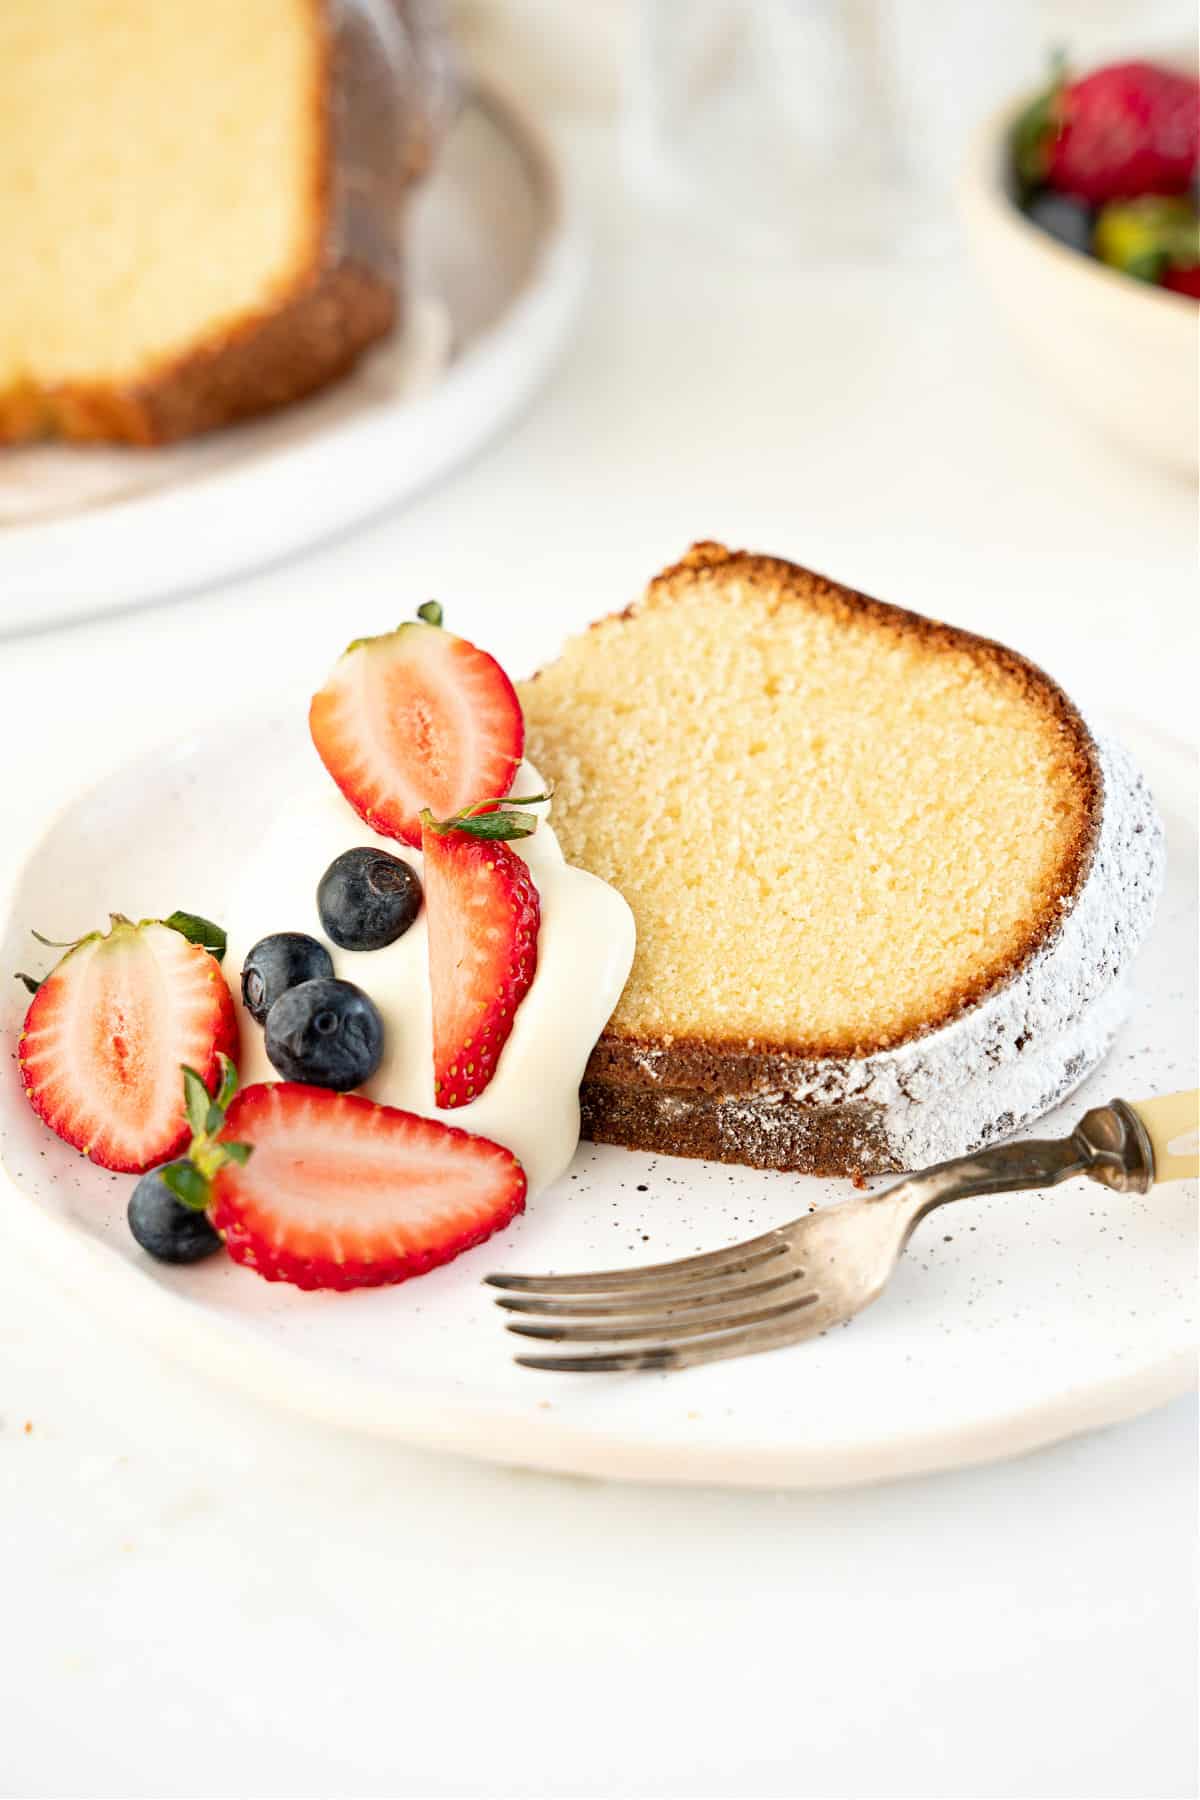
497,271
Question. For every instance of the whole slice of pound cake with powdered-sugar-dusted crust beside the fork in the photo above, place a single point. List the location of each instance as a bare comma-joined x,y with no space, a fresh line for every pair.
888,885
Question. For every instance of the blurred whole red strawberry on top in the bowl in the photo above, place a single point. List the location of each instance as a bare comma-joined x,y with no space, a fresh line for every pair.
1127,130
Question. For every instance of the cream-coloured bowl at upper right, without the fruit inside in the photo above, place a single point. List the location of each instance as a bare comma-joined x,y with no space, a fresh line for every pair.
1122,352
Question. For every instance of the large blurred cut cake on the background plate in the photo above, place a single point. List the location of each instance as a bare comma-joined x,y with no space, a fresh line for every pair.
202,204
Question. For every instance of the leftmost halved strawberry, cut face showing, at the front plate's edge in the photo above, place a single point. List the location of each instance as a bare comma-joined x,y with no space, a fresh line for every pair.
107,1034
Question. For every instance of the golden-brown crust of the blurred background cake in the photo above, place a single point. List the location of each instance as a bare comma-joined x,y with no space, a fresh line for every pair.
327,316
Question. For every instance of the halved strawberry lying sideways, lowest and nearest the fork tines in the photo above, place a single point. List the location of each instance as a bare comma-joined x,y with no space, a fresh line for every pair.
341,1192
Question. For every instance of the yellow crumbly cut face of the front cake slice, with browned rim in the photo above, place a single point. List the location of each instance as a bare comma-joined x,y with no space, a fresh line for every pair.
837,823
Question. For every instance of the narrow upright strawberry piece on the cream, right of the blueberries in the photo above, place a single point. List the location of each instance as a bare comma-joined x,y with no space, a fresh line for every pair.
483,917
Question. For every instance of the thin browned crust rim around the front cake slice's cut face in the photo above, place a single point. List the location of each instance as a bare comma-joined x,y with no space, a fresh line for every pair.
728,1068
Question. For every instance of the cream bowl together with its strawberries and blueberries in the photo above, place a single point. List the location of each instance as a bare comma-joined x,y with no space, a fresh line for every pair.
1095,273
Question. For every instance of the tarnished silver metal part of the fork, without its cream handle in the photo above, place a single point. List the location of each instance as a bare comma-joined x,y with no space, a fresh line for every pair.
803,1277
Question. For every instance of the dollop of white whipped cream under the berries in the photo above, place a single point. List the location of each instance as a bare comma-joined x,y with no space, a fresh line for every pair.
586,949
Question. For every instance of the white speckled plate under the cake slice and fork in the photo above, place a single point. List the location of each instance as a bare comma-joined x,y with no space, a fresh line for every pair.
1010,1324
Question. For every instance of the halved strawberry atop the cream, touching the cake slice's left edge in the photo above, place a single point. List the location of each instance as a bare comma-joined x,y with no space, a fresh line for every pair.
416,719
